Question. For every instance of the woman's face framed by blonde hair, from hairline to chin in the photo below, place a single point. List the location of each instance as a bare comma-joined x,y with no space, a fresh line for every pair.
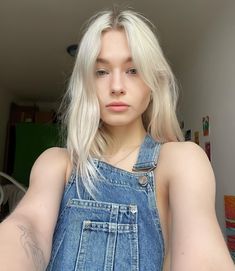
123,96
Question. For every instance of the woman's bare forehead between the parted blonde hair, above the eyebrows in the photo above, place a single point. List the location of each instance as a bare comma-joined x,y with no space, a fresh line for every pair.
114,44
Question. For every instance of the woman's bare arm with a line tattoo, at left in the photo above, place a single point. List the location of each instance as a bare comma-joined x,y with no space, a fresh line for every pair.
26,235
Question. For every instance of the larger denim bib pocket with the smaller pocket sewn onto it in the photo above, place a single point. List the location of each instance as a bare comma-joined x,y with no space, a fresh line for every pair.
97,236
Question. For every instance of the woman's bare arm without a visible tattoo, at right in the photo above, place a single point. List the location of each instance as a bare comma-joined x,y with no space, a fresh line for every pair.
196,239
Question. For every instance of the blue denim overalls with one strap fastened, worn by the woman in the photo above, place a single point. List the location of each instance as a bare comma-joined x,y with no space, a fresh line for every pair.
119,230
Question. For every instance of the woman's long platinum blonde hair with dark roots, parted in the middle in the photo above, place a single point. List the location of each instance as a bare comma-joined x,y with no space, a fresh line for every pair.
86,137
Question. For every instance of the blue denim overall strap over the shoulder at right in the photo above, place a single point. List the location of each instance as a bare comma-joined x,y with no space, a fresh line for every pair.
148,155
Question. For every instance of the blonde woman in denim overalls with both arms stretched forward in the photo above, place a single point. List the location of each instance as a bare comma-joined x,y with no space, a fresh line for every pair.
125,194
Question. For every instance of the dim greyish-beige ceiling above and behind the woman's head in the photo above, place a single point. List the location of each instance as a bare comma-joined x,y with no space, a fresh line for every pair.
34,64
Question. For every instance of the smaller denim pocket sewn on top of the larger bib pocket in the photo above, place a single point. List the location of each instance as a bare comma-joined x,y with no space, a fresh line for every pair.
108,246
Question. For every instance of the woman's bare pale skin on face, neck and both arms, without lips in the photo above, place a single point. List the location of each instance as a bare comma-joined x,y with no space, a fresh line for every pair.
185,183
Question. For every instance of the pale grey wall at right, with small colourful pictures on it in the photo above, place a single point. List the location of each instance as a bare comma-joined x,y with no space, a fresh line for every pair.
208,84
